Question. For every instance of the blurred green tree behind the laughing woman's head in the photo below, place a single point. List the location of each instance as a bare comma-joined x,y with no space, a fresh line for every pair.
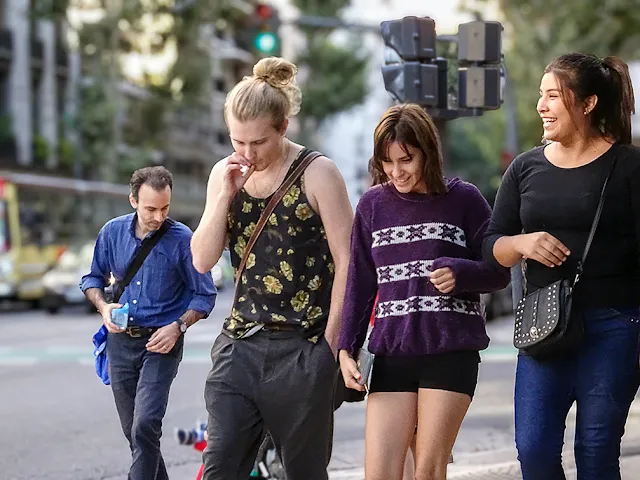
539,30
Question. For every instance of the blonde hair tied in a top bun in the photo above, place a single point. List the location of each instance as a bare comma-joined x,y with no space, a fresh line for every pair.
271,90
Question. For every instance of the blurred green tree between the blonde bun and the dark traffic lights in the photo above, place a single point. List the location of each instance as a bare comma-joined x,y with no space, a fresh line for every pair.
336,74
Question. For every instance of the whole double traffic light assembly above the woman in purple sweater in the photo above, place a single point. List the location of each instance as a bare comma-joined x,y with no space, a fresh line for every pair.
414,73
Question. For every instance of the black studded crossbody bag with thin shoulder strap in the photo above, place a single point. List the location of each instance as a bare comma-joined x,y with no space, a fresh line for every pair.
544,324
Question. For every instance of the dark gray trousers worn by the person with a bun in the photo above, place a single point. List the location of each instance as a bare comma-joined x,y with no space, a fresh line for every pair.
272,381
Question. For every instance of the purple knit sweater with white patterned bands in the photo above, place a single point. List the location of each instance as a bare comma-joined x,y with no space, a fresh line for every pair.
397,240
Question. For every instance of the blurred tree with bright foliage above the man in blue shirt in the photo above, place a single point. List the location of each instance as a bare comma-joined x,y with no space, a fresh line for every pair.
128,27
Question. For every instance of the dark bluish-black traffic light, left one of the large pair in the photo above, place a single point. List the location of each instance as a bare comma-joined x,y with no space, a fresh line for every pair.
410,45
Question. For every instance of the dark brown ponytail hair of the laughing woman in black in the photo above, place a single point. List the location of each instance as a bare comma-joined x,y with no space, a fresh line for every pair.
583,75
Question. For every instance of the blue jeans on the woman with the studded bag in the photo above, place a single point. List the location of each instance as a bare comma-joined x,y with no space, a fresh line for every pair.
602,377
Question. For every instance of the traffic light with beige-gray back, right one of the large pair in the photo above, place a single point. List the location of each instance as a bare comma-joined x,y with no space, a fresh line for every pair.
480,74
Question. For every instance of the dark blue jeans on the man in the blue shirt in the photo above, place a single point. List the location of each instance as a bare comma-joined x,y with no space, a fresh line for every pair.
140,381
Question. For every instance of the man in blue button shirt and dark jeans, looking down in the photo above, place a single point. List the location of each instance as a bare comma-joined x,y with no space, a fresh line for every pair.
166,296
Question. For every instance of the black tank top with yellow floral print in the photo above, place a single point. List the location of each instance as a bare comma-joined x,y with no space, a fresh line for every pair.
289,273
